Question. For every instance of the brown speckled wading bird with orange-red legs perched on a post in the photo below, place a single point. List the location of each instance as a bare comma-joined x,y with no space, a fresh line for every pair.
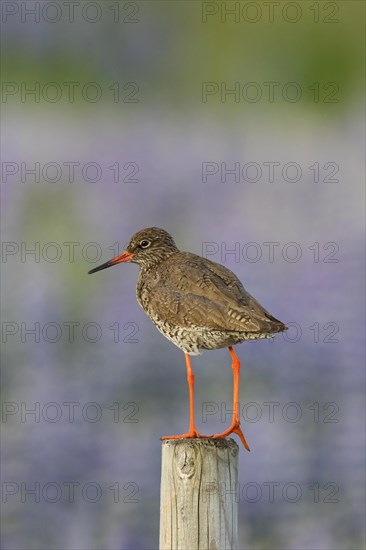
198,305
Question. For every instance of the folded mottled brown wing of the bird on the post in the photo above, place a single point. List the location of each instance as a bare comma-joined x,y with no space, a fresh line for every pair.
195,293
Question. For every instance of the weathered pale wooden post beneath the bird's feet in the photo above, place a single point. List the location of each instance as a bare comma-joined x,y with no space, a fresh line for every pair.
199,494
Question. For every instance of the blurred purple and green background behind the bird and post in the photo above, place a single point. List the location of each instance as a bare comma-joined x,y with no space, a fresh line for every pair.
238,127
